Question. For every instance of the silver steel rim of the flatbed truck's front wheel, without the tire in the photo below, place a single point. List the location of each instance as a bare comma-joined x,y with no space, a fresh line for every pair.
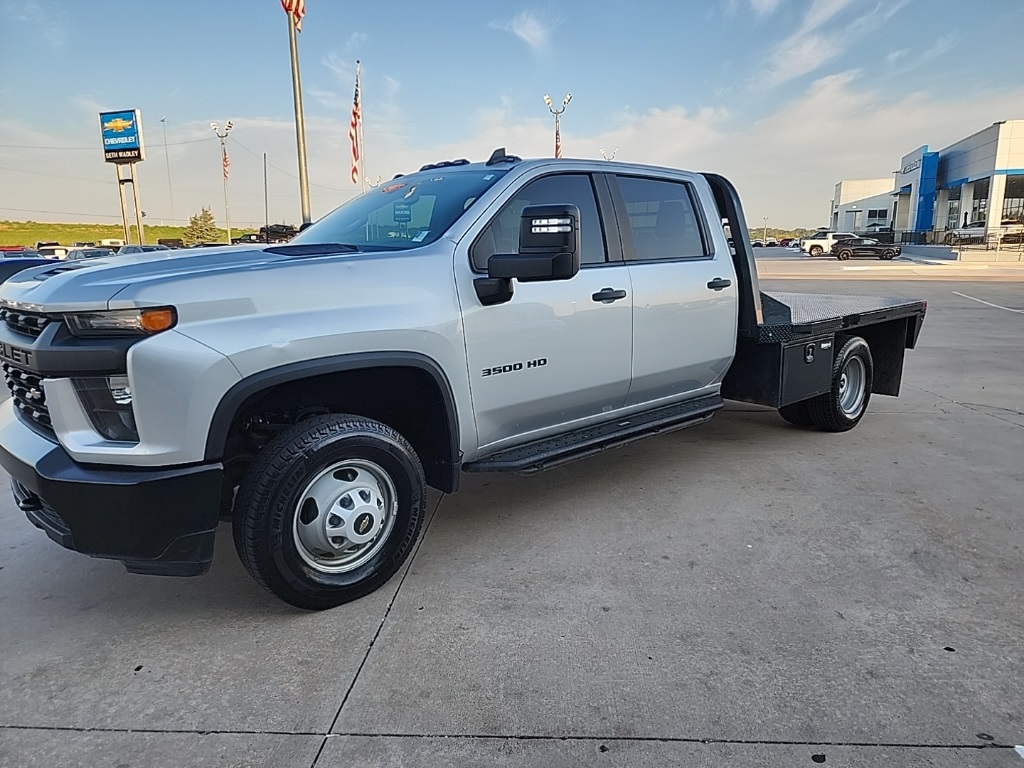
345,516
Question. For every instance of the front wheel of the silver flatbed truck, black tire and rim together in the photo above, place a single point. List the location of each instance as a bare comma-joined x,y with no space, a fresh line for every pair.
268,518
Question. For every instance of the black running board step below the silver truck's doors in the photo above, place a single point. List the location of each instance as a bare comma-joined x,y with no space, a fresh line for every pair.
553,452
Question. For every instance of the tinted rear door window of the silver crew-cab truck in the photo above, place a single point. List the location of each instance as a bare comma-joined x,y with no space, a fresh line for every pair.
662,217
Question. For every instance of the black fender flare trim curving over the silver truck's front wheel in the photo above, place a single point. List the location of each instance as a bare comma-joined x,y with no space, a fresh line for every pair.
234,399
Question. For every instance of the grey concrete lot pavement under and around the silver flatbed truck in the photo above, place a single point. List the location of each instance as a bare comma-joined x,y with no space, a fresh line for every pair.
744,593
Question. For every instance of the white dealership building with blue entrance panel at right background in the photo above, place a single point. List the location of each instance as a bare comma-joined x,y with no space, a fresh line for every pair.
978,179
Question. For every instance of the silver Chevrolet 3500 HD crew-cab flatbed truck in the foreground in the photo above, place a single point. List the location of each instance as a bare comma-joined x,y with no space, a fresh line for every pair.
505,316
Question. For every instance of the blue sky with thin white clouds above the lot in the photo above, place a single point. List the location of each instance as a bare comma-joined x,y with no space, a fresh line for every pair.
786,98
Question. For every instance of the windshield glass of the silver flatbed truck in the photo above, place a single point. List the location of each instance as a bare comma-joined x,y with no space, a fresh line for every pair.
407,212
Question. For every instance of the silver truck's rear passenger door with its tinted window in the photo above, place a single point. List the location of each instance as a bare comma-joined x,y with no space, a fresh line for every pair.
685,289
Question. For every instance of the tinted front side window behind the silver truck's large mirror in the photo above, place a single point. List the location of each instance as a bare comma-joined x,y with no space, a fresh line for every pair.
502,235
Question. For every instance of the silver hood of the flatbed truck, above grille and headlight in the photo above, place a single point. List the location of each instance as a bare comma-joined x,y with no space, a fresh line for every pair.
92,284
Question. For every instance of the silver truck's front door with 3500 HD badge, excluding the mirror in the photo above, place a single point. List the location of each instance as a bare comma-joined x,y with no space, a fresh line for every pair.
556,354
